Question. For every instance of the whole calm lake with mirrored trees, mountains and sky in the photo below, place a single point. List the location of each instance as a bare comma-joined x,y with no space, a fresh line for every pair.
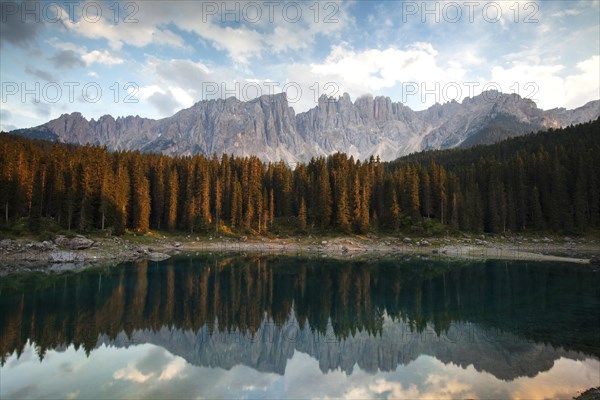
268,326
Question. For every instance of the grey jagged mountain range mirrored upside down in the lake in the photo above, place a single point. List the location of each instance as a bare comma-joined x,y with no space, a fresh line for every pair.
501,354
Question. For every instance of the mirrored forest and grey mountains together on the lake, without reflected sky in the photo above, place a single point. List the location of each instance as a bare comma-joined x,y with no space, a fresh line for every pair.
509,319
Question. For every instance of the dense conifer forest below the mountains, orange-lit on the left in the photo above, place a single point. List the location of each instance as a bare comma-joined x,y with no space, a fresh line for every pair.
544,181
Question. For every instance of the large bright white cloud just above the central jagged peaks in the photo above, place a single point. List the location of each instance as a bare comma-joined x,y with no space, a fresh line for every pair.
372,71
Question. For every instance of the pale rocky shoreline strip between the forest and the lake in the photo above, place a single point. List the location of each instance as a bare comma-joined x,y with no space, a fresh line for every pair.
79,252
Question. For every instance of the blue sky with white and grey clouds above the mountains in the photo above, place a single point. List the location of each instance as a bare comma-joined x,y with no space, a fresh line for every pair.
153,58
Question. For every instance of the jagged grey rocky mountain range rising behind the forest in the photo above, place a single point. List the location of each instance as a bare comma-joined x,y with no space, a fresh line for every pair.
269,128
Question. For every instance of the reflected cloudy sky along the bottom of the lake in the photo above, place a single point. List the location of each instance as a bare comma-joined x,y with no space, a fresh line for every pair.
151,371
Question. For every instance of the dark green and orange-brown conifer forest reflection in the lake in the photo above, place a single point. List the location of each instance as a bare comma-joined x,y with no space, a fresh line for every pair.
238,293
